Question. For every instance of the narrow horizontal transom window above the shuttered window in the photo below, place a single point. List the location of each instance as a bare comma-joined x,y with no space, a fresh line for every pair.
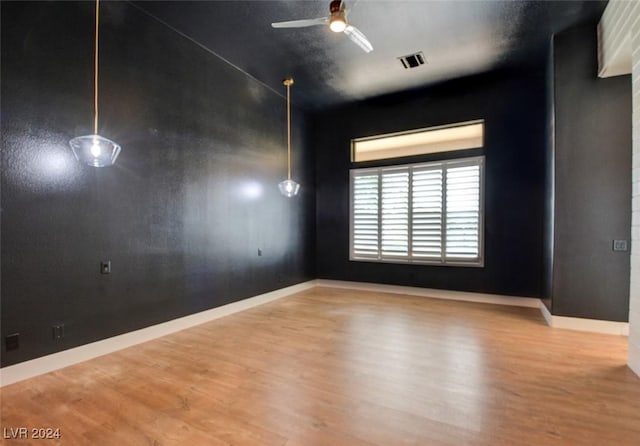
466,135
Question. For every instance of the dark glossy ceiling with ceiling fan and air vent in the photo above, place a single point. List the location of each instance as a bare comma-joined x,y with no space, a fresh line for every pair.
457,38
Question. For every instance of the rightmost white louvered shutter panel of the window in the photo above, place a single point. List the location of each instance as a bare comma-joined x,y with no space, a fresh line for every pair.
463,212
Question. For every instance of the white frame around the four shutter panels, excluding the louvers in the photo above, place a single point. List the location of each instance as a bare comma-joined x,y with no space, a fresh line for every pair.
409,258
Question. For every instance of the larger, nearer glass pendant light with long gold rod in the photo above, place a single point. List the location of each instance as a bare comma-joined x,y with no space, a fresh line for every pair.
95,150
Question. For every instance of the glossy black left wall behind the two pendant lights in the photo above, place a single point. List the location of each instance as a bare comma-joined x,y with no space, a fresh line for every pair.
183,213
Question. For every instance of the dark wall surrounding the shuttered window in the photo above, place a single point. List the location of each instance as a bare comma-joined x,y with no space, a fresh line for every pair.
513,107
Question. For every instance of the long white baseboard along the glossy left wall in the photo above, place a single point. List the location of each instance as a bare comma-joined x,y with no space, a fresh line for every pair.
55,361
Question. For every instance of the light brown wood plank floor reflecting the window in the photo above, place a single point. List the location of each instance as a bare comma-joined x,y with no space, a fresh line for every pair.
338,367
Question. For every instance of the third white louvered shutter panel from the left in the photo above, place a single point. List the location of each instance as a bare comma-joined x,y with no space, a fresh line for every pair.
426,232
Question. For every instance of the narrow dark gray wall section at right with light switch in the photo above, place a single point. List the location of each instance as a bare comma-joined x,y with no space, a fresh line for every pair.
592,182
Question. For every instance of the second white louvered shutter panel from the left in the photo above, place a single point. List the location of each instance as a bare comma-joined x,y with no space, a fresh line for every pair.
395,213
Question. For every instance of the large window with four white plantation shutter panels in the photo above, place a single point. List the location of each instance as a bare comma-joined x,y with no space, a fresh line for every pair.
424,213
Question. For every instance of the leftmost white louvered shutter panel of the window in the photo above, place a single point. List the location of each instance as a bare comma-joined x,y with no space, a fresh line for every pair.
365,215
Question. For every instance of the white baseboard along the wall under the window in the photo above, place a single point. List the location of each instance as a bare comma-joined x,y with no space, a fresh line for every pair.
495,299
